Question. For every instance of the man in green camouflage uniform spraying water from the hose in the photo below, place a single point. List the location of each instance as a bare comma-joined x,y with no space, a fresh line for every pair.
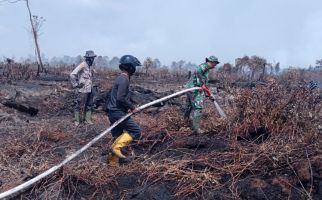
195,99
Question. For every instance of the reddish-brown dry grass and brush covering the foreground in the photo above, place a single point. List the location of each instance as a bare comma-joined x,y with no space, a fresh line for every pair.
272,130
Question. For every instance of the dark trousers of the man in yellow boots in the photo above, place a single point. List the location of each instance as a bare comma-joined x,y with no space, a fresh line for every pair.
129,124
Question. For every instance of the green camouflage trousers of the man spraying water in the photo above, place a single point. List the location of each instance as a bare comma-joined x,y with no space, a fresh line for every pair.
193,108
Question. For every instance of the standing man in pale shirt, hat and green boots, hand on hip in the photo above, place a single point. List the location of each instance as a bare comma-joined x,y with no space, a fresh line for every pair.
81,78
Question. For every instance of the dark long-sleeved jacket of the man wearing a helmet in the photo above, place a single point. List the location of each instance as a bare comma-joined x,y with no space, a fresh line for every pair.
120,95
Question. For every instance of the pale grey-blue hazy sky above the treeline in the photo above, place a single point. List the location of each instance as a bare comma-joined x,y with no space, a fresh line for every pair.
286,31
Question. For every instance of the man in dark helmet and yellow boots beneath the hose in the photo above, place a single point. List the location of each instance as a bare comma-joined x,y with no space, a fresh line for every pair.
118,105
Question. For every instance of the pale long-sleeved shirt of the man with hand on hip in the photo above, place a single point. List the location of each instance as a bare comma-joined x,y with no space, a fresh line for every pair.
82,74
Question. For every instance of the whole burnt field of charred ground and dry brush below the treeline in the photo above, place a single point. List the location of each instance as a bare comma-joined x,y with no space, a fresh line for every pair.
269,147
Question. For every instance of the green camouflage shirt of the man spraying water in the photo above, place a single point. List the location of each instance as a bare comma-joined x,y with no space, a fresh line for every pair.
199,77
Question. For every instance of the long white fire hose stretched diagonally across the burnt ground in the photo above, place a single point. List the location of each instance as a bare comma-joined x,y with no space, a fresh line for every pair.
55,168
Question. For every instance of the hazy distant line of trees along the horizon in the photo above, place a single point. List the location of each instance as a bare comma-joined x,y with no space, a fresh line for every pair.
251,65
